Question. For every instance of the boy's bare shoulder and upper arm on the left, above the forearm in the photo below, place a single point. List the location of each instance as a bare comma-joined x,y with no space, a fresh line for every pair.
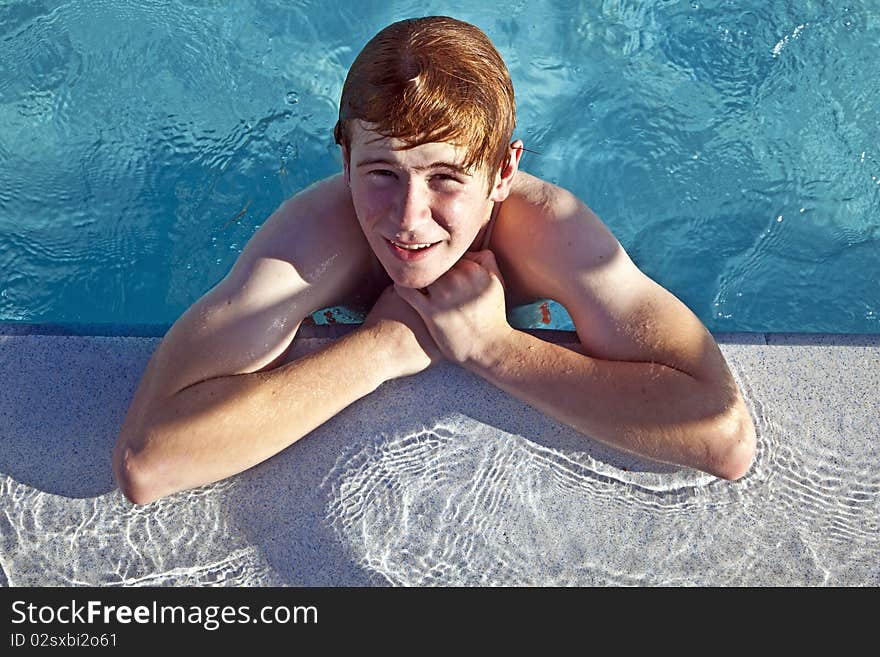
303,258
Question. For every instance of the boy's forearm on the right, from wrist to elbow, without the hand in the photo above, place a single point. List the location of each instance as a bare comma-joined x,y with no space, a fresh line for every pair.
646,409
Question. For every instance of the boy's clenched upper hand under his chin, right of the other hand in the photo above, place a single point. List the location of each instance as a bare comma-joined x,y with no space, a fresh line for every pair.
464,309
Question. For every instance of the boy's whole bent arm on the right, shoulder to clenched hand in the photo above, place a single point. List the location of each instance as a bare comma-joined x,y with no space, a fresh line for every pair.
648,377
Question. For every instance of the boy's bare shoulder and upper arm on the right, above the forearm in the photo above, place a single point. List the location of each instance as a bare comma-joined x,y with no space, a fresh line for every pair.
566,253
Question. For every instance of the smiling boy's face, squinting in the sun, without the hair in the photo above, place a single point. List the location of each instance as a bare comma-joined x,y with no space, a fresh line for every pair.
419,195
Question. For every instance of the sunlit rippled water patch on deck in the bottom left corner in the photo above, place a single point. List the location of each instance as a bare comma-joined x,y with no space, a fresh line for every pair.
48,540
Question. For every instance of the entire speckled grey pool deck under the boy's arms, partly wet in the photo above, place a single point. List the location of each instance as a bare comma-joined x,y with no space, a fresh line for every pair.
444,479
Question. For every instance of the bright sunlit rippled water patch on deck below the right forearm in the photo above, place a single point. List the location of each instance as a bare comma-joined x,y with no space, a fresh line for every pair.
454,506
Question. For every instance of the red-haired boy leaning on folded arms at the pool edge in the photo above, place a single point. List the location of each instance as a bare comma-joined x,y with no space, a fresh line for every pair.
432,226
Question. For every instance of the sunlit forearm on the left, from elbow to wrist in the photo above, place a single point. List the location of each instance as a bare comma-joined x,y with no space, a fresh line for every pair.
223,426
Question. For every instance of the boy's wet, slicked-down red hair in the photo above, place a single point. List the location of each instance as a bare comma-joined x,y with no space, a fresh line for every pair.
433,79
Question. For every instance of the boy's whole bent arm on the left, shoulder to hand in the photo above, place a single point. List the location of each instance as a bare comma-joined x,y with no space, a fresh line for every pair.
218,395
